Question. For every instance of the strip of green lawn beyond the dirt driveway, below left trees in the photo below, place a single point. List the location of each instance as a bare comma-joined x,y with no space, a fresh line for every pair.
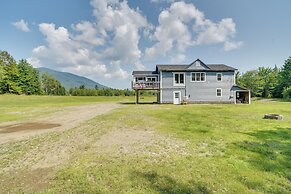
14,107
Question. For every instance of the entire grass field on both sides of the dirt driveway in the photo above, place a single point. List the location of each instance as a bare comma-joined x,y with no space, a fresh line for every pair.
153,149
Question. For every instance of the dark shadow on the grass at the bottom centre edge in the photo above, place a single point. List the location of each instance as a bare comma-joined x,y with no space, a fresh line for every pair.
166,184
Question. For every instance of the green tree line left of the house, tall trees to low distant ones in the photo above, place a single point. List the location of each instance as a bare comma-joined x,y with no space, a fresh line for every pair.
21,78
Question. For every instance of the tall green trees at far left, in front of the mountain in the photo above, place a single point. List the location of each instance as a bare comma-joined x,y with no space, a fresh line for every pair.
21,78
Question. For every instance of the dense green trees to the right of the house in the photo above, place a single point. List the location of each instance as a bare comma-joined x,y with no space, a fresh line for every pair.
268,82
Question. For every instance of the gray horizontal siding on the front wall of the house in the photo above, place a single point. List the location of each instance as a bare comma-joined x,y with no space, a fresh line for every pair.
199,91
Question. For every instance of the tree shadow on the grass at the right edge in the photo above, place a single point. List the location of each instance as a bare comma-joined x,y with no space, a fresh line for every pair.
272,151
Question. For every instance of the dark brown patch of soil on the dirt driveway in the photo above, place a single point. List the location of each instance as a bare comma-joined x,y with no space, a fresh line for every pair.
27,126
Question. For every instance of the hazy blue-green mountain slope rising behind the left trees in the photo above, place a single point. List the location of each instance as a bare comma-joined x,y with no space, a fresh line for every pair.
69,80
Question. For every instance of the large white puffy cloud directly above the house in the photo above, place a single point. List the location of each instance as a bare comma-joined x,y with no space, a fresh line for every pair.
174,33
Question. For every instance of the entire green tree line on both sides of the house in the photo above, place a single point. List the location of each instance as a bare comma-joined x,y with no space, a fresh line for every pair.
21,78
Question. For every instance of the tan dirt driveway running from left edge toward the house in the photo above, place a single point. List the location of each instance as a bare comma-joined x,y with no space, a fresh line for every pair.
66,118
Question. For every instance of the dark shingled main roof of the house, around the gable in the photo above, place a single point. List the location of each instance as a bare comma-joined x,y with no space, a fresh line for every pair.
183,67
